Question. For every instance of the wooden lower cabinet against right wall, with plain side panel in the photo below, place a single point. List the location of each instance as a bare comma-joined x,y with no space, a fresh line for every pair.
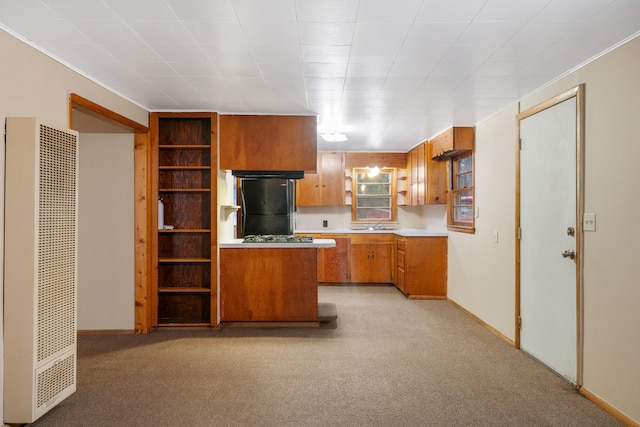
422,267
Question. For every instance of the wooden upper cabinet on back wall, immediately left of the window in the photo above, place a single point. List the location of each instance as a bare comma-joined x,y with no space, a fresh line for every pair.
325,188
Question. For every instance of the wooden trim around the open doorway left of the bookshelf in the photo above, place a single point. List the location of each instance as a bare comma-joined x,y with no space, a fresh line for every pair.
142,208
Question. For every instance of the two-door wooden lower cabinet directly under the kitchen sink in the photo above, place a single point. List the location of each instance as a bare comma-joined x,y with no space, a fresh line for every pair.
372,258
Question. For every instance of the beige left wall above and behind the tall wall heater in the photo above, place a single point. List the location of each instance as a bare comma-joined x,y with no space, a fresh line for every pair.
34,85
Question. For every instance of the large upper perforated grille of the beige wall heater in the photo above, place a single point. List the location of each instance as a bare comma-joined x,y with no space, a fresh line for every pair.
56,326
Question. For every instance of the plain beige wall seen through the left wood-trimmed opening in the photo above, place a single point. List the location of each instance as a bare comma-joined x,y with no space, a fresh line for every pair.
106,279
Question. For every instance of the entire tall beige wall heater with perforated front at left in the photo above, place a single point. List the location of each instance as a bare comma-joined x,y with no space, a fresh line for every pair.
40,268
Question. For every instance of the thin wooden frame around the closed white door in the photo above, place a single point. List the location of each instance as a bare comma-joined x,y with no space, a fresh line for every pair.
579,93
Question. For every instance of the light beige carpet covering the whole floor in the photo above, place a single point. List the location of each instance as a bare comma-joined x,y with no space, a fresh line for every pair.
387,361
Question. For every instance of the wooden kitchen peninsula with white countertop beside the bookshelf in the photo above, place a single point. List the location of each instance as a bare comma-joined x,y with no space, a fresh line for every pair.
269,282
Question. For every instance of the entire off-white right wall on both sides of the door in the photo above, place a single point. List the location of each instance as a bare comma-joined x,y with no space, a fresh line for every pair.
611,286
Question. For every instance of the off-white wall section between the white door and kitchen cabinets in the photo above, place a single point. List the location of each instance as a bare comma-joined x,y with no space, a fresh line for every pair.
481,272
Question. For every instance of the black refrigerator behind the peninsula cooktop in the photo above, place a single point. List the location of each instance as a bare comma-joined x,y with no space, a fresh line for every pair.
267,206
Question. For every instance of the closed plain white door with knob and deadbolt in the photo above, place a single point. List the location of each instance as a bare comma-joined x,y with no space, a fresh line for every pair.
549,243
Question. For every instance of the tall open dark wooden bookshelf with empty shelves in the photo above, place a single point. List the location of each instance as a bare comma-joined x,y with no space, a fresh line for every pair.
184,164
